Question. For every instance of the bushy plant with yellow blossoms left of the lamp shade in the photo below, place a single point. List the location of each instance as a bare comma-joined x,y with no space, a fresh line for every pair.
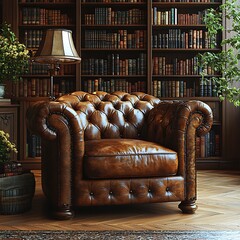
14,57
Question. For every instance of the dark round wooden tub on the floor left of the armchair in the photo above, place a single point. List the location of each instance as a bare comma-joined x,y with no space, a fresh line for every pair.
16,193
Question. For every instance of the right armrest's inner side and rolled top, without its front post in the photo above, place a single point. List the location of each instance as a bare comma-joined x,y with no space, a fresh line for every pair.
169,121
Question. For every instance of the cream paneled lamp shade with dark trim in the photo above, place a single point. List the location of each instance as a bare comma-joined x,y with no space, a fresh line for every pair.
57,47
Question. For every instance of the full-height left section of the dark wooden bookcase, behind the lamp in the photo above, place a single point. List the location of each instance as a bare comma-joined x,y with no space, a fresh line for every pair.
33,19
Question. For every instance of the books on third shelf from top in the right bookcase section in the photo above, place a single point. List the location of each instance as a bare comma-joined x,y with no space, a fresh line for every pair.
188,66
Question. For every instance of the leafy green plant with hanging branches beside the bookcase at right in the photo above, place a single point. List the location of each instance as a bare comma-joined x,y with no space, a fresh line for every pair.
227,61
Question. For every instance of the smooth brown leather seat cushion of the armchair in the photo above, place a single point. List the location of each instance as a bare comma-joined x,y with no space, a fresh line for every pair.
128,158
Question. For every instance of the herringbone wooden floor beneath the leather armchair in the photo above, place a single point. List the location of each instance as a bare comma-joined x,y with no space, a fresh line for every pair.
218,209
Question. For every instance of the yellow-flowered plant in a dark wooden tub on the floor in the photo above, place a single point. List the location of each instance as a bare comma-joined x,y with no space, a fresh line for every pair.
17,186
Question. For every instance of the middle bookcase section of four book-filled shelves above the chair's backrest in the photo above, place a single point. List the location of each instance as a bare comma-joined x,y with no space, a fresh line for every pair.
114,46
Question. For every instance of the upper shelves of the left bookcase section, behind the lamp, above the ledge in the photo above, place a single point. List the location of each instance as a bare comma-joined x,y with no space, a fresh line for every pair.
34,17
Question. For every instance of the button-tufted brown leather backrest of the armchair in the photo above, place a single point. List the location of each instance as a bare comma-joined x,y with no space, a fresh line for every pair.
115,115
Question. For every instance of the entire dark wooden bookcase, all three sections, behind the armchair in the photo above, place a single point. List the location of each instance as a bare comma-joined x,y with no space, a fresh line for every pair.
125,45
